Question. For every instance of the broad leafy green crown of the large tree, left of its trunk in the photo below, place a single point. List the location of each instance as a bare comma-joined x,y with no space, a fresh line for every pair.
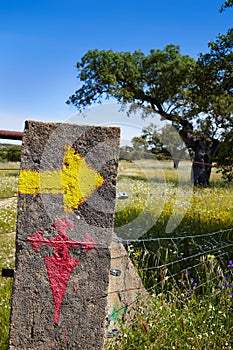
155,79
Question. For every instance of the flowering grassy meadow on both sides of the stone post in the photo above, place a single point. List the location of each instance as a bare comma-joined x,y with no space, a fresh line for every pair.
180,240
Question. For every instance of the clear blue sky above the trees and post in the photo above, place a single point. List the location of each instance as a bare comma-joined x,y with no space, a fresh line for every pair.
41,41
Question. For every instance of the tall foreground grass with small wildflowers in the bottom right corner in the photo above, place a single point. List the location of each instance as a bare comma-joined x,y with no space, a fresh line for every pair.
188,316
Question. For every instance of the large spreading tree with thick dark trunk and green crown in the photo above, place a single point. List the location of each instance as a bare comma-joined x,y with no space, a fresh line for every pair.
169,84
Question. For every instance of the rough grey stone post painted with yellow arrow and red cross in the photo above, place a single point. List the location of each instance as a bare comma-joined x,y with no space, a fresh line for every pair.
64,230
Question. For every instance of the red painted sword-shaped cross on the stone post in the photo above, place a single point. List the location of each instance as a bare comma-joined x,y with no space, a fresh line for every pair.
60,264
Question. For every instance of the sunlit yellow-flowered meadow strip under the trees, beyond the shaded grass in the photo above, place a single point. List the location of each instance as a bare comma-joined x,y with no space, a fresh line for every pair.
154,197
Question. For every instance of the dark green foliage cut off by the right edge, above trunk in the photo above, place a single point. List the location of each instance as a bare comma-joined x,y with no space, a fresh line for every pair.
213,80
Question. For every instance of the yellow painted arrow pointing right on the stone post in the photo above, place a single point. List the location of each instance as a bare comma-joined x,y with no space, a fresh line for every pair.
76,180
